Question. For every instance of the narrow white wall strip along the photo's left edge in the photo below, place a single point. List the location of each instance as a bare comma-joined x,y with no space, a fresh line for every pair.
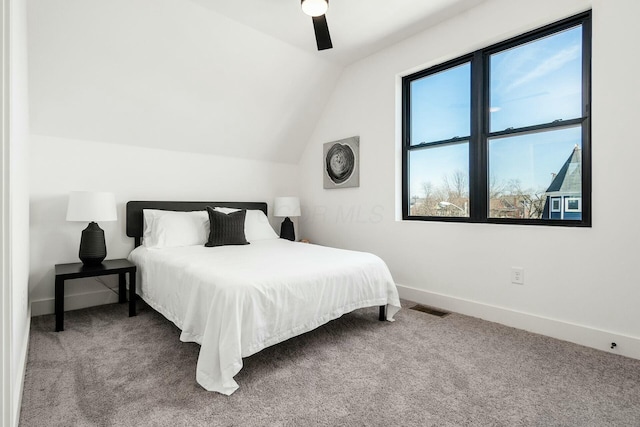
15,209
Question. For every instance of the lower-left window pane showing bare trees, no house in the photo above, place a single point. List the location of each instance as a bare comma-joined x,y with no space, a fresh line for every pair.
439,180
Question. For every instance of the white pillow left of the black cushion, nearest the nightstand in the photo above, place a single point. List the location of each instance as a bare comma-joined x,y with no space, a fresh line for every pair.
166,229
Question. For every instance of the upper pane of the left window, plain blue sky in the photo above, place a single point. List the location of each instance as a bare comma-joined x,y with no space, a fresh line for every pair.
441,105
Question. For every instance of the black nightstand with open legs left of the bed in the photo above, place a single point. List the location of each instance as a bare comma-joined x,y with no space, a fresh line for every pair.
78,270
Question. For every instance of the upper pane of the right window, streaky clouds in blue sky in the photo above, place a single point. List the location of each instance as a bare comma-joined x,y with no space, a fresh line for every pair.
537,82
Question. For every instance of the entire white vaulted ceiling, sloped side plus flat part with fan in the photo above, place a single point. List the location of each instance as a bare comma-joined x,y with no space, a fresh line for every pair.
232,78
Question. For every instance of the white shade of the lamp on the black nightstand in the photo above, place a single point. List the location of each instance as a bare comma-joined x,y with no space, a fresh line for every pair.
90,206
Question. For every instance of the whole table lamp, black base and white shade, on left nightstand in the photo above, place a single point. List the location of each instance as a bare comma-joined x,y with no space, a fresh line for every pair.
92,206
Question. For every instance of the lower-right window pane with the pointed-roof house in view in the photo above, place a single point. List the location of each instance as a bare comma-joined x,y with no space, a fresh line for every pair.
536,175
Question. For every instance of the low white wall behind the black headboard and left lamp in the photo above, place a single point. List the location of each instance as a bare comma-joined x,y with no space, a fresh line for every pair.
59,166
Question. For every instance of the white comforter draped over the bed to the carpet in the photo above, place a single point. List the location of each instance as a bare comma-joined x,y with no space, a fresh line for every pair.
236,300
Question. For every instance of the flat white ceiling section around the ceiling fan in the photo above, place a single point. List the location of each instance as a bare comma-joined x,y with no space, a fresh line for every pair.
358,28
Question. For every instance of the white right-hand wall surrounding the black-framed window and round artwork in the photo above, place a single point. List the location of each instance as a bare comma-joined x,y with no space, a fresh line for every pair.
579,282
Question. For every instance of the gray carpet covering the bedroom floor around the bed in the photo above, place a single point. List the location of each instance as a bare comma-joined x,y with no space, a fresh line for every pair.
107,369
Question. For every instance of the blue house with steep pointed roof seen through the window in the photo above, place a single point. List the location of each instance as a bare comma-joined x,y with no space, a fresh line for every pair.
564,195
